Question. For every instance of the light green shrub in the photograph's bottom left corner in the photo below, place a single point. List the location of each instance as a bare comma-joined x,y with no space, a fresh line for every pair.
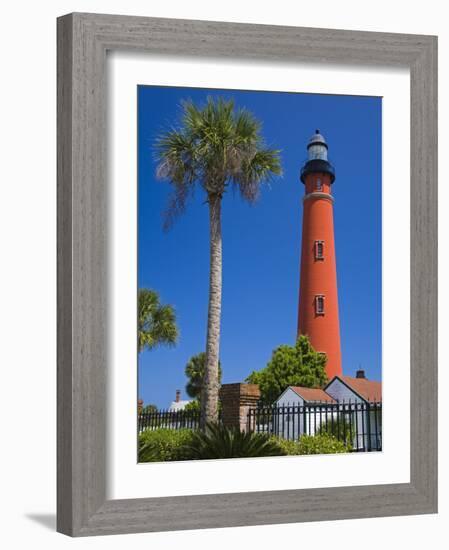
163,445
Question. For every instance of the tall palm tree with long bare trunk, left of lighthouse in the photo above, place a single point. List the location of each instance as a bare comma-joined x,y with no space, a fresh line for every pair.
215,147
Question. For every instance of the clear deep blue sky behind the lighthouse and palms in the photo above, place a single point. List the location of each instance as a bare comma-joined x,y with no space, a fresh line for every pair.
261,243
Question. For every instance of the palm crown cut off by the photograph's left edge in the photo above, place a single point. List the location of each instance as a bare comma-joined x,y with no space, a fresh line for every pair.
156,322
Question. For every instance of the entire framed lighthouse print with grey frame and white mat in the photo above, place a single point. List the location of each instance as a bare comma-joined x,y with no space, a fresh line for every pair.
246,274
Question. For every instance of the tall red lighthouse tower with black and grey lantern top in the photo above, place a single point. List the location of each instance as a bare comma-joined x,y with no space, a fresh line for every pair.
318,295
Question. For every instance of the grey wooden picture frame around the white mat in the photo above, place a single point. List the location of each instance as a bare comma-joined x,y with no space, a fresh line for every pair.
83,40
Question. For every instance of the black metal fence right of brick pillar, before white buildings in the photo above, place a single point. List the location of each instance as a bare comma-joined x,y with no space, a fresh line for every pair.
358,424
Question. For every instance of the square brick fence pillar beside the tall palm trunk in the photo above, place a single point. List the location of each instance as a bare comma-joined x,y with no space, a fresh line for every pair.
236,401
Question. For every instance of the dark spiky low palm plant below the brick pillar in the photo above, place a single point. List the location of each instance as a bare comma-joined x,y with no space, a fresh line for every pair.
220,442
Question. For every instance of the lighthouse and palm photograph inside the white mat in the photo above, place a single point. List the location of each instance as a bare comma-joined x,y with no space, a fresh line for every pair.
259,274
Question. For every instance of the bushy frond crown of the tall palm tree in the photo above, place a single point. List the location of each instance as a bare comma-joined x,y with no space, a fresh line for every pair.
214,146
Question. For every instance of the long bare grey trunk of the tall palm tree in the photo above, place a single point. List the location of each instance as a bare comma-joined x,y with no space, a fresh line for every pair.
209,397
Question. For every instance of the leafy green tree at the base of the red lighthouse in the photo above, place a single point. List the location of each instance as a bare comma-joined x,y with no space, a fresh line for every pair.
298,365
